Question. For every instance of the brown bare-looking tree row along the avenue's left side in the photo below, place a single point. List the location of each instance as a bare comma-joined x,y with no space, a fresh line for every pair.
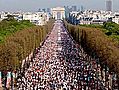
20,44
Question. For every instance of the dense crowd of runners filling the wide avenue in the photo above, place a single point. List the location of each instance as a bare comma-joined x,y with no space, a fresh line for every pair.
61,64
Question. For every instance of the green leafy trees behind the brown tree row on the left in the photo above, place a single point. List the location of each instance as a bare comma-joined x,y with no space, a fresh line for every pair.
10,25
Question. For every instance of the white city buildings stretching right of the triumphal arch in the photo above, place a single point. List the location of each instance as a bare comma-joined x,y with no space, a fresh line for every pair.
92,17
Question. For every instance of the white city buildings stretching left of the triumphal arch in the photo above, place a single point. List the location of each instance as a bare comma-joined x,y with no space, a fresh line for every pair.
38,18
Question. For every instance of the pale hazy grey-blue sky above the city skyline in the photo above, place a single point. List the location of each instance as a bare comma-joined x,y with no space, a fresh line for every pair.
33,5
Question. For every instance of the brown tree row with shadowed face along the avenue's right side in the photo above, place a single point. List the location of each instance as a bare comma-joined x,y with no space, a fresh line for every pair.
97,44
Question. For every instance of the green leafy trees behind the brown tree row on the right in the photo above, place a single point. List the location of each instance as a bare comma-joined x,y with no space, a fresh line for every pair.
111,29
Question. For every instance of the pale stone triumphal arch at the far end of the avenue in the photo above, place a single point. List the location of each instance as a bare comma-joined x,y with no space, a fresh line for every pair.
58,13
